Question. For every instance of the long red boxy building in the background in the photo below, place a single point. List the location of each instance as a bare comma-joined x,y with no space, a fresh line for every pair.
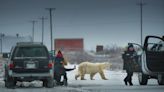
75,44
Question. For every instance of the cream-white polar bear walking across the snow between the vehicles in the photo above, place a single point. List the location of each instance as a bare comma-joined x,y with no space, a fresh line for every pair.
92,69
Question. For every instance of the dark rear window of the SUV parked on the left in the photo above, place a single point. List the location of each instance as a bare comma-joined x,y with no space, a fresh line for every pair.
30,52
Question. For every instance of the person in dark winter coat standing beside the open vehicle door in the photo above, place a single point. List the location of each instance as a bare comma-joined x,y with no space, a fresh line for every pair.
128,58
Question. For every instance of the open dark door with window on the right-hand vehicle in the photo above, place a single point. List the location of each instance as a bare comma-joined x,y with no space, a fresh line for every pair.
154,54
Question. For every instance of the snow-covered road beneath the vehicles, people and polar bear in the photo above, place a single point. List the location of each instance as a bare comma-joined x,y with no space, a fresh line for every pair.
114,84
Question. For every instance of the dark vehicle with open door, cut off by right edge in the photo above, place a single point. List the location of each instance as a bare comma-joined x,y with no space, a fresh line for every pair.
151,60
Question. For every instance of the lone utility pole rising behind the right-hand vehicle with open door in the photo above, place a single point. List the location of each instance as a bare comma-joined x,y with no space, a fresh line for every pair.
141,4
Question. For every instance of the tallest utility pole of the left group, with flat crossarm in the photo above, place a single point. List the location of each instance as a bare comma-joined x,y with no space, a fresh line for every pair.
50,13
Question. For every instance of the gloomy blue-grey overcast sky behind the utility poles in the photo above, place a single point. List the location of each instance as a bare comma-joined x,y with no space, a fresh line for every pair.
99,22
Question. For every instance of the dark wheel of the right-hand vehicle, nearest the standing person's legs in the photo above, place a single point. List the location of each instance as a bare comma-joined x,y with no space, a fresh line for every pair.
143,79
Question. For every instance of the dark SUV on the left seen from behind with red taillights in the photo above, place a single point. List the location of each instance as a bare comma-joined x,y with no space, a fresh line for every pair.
28,62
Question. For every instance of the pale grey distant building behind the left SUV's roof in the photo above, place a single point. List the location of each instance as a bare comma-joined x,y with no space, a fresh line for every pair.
7,41
